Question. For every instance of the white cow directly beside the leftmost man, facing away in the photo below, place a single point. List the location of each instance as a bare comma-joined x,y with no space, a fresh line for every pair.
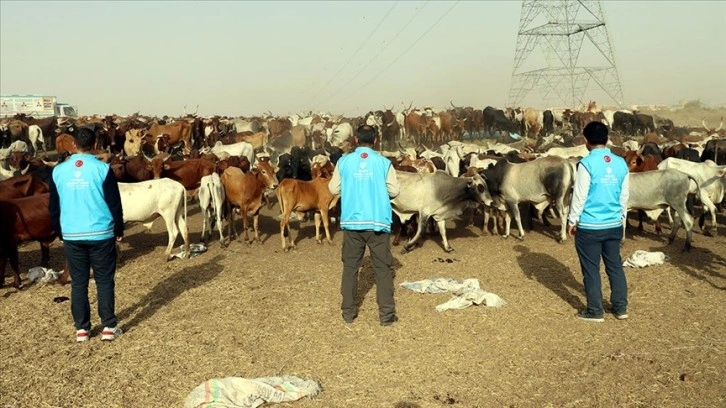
146,201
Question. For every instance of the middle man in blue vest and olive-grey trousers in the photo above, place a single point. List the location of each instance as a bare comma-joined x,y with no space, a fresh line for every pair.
366,182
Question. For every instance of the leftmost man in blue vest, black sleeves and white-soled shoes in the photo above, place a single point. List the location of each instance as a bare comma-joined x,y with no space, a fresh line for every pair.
85,209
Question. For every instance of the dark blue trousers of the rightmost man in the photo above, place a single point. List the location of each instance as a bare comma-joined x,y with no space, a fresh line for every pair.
592,245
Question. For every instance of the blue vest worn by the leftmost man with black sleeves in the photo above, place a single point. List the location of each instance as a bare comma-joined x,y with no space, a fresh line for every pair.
84,212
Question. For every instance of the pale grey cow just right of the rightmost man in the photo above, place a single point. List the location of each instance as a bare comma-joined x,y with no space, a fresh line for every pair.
654,191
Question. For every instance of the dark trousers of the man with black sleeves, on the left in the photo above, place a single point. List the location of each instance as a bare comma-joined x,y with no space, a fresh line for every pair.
81,256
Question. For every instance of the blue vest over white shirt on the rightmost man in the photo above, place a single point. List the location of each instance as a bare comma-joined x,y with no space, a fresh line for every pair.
602,208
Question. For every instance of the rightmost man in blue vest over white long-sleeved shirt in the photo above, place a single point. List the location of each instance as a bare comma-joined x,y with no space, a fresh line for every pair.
598,211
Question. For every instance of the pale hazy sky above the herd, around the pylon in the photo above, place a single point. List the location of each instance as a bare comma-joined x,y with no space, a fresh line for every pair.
244,58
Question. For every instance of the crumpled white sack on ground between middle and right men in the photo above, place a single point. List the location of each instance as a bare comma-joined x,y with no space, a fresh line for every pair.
467,293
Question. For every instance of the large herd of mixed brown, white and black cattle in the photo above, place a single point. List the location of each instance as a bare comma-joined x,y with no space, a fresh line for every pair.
512,163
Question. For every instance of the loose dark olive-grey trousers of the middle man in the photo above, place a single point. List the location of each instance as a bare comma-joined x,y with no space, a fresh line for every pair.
354,246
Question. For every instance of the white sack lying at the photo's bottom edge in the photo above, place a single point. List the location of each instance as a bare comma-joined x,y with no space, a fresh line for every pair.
237,392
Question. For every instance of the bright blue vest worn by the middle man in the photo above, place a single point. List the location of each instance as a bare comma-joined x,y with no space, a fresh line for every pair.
365,204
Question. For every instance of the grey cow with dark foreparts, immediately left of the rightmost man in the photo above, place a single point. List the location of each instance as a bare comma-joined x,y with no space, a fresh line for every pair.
541,182
